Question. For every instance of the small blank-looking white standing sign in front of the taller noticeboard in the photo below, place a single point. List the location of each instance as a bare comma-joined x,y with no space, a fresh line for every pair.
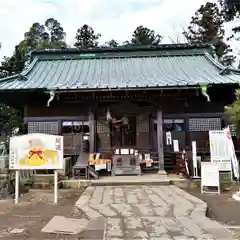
210,176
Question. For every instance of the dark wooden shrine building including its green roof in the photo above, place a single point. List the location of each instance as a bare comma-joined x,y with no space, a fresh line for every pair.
145,91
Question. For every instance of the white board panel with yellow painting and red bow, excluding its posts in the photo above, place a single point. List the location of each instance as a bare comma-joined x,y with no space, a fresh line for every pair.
36,151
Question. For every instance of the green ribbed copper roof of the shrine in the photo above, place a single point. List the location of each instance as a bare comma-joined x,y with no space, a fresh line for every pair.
161,67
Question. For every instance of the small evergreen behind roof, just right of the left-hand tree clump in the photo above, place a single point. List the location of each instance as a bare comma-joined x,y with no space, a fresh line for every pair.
86,37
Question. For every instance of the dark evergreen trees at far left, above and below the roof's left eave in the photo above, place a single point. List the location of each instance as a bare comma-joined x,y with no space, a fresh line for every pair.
50,35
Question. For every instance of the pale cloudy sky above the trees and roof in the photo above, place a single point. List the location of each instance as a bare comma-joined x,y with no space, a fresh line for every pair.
114,19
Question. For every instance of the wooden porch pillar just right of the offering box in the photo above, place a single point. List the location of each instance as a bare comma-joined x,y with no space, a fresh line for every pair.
160,142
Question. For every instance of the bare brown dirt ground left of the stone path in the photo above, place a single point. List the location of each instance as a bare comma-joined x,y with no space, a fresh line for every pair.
35,210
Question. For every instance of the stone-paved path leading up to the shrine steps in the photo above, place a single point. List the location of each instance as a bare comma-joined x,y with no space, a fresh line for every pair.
149,212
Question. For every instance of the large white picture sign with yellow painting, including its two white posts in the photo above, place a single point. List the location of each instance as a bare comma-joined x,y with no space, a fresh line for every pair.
18,151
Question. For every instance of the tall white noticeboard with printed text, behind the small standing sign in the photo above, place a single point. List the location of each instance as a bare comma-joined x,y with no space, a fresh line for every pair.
219,150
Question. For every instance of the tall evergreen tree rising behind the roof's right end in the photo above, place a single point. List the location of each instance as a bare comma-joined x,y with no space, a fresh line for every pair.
206,26
